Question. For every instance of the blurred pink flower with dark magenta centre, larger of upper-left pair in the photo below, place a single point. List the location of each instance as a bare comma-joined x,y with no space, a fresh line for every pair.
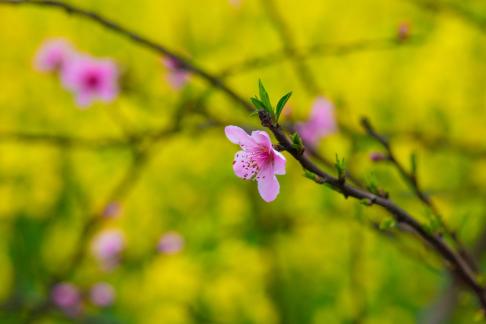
91,79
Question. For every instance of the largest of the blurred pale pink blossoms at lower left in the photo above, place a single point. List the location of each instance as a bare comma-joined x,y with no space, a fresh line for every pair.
107,248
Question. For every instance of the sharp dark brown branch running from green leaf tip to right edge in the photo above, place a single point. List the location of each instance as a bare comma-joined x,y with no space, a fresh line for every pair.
458,265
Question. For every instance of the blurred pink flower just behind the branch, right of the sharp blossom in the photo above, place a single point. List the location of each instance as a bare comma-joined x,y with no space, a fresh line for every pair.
320,124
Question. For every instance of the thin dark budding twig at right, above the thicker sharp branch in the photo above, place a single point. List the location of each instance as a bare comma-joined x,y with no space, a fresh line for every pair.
412,180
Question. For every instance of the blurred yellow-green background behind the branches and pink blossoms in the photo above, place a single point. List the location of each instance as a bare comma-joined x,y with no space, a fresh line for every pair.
308,257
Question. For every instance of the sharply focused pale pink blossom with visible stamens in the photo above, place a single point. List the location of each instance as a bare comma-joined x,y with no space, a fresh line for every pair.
258,160
